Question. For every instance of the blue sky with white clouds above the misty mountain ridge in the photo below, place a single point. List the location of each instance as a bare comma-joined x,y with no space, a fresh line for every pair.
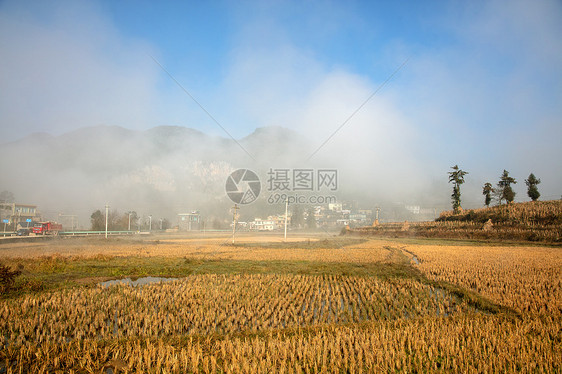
482,87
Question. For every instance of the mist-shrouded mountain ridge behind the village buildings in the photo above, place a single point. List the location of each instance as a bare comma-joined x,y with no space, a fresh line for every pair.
166,170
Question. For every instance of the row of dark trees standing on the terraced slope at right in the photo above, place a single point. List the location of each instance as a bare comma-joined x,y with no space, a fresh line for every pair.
502,192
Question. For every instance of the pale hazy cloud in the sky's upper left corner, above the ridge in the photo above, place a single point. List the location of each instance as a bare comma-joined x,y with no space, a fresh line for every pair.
67,68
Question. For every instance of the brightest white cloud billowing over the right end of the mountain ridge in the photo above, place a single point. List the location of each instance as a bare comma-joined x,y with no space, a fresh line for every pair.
288,87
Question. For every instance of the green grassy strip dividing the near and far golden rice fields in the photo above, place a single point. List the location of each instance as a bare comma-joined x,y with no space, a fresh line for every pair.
51,273
